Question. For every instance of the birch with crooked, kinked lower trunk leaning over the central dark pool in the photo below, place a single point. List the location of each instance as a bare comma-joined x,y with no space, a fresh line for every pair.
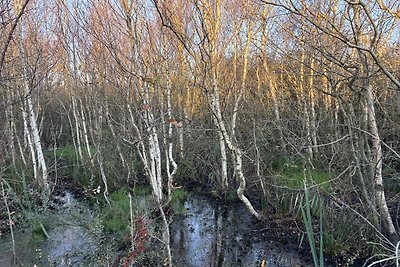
207,26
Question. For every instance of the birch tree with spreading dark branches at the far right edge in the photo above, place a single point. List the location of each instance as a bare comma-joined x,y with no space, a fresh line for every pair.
360,35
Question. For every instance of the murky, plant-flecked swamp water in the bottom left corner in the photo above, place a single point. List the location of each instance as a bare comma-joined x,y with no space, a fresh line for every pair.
71,240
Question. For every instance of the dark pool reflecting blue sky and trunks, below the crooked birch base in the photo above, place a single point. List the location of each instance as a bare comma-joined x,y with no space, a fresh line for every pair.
214,235
